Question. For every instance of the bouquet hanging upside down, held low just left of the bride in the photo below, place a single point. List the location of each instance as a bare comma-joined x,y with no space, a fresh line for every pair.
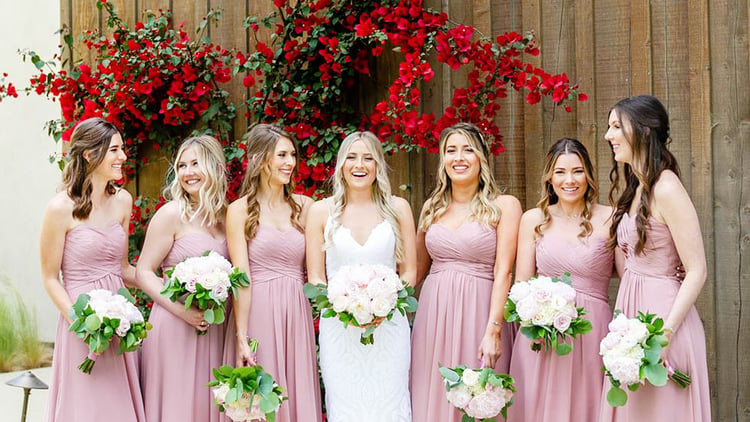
247,393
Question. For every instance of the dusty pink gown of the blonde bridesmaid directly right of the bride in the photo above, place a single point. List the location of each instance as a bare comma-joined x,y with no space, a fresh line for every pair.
454,308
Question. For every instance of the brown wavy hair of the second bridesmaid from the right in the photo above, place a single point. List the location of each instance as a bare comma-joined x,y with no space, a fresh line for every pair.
549,197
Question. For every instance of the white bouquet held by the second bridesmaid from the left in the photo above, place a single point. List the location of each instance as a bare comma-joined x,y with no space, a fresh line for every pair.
204,281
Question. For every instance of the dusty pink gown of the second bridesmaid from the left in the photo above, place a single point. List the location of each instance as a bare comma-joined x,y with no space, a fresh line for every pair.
176,363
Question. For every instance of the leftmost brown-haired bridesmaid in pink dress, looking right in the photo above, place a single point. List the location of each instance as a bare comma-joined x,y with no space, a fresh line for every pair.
84,236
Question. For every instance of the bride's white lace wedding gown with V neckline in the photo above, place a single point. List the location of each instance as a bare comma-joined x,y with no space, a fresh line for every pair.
364,383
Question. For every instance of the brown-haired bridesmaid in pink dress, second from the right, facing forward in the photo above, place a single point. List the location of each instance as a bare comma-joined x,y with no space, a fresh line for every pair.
567,232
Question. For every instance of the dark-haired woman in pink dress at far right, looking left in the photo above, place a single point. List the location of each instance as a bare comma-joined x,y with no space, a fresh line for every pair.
656,226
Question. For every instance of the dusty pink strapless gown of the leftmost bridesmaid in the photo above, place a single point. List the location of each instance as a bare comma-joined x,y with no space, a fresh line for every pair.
92,259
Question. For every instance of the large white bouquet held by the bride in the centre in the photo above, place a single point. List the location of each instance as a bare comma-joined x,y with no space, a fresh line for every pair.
364,296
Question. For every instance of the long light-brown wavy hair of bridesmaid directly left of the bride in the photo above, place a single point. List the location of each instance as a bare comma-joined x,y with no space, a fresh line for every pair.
261,144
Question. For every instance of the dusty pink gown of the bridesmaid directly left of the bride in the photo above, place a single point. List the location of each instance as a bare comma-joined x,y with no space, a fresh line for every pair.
281,320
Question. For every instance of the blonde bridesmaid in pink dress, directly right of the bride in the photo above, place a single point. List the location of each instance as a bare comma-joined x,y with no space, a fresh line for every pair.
467,240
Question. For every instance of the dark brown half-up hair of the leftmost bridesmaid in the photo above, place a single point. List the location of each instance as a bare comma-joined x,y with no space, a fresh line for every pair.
93,135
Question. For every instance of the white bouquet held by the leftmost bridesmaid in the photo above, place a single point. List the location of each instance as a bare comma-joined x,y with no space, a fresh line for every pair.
100,315
